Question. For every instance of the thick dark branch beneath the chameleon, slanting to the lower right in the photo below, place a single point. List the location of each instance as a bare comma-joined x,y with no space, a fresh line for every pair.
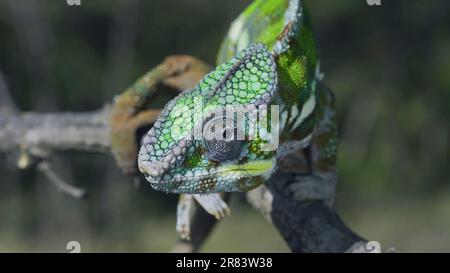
308,223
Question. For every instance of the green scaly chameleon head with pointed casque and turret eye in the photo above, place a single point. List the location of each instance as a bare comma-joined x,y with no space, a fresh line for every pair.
204,140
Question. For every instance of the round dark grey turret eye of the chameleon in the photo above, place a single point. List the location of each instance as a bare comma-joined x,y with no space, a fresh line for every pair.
220,139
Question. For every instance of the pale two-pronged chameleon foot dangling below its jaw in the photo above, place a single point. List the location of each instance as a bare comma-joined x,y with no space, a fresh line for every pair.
211,203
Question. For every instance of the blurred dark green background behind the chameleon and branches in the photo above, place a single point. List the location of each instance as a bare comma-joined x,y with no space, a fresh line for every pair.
389,66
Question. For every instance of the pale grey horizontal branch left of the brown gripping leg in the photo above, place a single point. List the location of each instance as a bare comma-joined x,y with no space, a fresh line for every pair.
44,133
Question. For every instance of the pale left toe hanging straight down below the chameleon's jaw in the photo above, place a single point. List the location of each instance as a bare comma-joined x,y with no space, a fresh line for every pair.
184,207
